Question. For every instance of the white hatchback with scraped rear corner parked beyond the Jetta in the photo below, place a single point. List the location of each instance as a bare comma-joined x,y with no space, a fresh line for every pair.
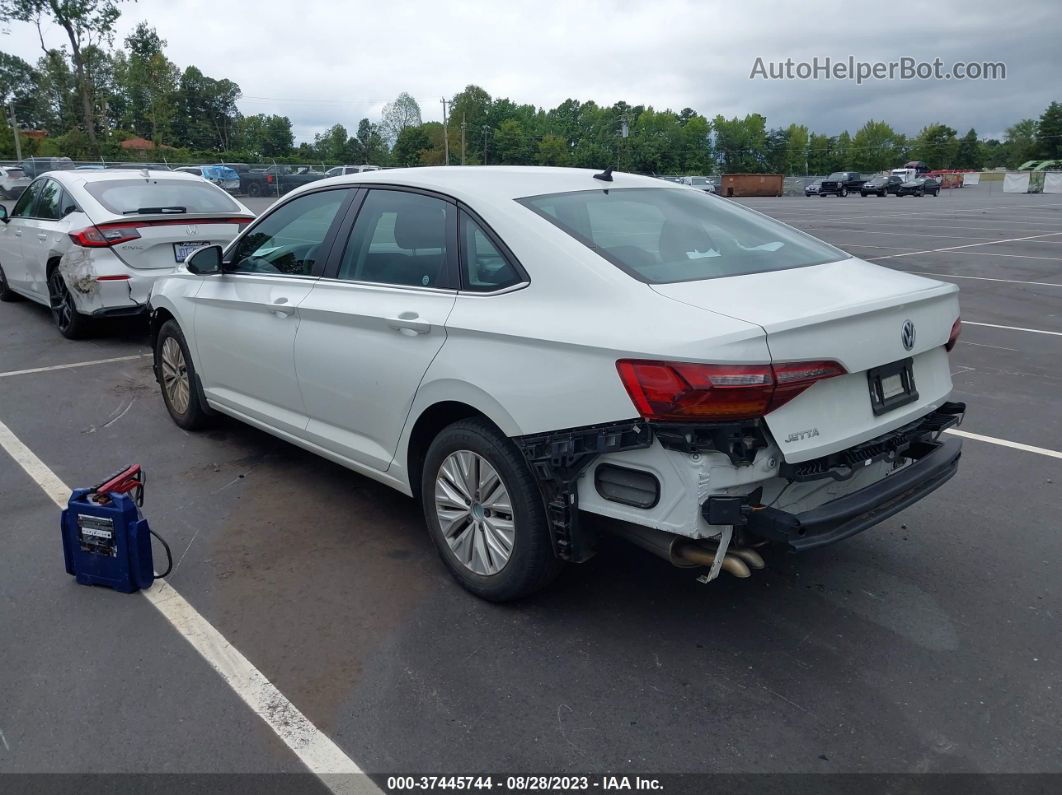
91,244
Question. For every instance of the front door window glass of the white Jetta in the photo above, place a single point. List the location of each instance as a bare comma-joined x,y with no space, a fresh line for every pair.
289,240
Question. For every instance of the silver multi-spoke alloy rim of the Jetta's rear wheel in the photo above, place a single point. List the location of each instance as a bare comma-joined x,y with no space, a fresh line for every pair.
475,513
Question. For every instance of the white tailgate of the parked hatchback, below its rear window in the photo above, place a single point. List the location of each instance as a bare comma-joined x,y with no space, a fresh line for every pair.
165,241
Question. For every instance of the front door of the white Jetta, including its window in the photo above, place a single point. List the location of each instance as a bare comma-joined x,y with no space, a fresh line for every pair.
247,318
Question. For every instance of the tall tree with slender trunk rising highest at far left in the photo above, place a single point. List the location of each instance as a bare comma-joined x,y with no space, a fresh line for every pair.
87,23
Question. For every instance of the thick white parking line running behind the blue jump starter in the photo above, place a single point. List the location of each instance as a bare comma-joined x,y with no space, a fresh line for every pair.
315,750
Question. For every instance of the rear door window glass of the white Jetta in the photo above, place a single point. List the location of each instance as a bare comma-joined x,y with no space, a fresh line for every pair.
401,239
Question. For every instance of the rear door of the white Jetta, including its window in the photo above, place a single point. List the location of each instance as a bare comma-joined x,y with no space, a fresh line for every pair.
372,326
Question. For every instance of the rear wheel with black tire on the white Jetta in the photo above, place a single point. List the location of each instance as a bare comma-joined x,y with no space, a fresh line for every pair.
473,547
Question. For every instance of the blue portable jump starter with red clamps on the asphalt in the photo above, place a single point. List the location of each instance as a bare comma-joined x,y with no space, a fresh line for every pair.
106,539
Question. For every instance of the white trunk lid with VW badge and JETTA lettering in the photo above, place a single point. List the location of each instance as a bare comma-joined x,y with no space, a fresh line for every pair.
851,313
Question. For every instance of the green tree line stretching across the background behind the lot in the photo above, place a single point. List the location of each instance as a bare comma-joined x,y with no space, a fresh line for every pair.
92,94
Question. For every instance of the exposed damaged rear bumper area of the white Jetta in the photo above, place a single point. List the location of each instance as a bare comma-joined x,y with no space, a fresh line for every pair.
706,495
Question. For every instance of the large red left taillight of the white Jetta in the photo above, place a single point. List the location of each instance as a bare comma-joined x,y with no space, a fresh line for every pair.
683,392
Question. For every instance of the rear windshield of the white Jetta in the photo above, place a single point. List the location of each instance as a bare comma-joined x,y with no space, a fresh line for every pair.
663,235
